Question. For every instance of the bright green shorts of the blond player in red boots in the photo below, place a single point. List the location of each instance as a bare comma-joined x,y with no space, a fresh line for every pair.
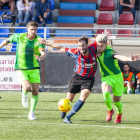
116,82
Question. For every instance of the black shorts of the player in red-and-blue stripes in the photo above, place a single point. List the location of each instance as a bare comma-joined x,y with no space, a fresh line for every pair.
79,82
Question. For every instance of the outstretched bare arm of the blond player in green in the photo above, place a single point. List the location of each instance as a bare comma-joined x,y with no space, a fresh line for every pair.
125,58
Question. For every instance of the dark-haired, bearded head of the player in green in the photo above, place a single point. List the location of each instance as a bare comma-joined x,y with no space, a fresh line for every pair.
32,27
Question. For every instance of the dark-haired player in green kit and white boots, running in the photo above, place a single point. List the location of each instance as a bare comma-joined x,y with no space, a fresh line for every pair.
29,51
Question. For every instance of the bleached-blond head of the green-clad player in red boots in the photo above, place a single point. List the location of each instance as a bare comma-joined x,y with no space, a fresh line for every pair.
101,42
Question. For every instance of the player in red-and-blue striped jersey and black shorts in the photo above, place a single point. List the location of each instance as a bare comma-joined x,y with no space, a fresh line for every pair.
84,70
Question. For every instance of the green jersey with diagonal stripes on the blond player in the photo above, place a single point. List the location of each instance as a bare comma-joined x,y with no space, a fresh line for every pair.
108,65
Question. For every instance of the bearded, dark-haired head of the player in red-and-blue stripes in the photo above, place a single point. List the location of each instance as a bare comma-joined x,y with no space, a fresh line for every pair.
83,44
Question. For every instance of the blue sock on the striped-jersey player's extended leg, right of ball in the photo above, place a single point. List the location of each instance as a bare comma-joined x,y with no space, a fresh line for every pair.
77,106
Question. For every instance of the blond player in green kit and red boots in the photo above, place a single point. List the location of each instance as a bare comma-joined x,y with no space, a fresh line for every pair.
112,78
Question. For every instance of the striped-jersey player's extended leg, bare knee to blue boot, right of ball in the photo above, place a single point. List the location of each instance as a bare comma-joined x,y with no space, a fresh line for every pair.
78,105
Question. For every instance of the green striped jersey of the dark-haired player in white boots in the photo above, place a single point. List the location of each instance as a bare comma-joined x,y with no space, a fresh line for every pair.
26,49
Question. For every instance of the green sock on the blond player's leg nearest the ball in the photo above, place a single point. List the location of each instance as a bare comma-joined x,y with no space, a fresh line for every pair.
107,99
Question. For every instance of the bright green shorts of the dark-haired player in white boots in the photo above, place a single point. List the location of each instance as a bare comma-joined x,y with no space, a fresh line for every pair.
33,76
